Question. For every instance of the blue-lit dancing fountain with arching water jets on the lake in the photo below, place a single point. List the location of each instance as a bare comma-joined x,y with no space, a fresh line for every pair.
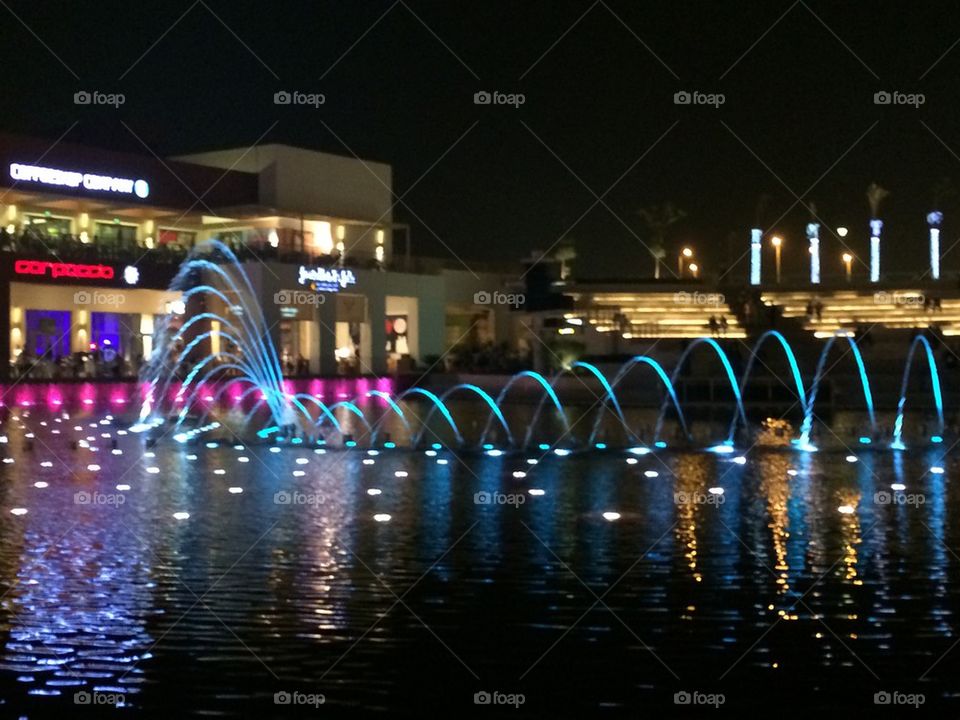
224,349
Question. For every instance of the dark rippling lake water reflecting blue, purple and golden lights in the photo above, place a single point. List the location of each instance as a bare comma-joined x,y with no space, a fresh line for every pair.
385,584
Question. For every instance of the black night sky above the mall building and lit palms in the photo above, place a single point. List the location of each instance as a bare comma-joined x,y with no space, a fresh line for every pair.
798,79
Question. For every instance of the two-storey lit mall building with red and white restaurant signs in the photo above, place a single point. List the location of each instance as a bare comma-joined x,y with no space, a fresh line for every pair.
90,240
